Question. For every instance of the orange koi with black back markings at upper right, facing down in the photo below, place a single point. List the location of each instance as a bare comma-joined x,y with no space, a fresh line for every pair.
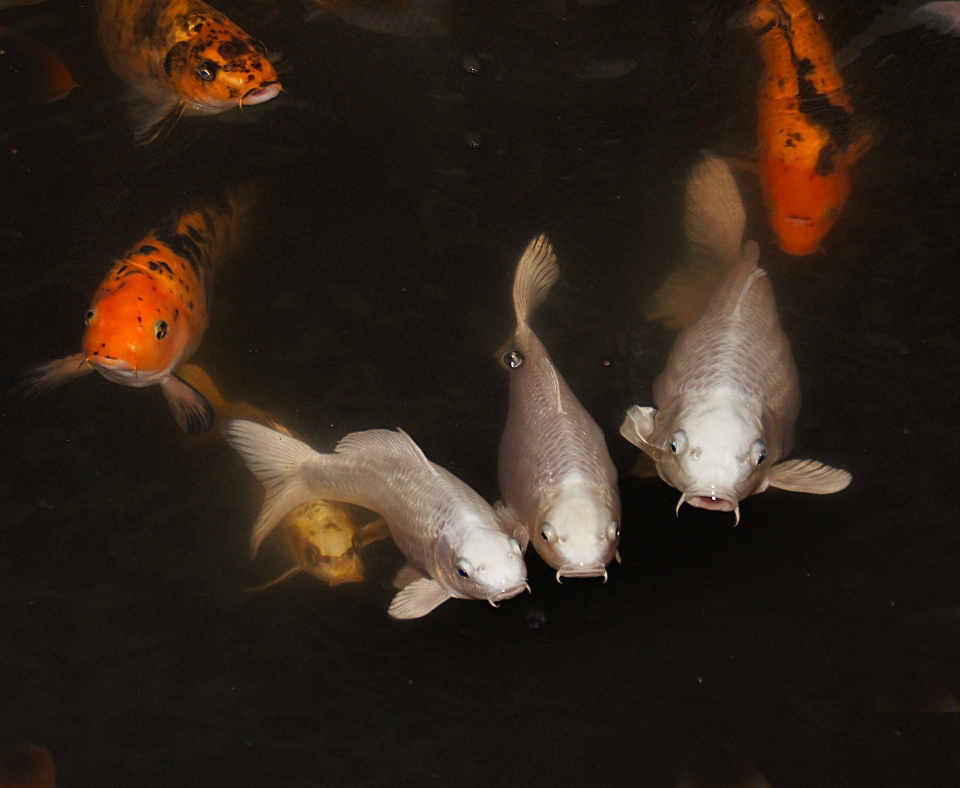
805,131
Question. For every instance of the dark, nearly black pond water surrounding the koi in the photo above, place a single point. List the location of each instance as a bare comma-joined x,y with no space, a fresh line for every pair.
373,294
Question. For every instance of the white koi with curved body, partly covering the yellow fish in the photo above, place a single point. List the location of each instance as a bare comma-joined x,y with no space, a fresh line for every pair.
447,532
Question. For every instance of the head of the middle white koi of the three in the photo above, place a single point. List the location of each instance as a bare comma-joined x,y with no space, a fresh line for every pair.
579,531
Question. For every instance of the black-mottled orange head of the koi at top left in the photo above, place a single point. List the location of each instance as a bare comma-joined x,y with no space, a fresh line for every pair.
220,67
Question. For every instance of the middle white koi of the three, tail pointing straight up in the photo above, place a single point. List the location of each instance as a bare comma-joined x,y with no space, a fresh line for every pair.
558,483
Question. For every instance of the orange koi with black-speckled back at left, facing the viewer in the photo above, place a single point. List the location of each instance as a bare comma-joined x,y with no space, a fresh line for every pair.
150,313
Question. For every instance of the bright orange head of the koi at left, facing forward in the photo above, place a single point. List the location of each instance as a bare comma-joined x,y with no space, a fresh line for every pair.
135,325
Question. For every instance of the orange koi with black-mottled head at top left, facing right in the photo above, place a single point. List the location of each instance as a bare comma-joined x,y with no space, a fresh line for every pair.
184,56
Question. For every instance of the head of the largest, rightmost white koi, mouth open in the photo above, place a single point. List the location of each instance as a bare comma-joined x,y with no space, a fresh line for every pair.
715,453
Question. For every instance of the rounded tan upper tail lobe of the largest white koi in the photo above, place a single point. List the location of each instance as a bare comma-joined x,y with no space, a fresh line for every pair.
714,212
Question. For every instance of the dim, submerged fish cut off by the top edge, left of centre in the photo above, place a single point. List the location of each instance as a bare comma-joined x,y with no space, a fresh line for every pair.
409,18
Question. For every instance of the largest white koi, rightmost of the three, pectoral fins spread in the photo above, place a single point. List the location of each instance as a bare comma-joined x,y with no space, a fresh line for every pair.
727,401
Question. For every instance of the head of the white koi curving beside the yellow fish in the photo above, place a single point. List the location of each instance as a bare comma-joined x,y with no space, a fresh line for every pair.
486,564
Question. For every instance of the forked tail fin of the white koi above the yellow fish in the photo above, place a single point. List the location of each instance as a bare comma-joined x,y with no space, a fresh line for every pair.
276,460
